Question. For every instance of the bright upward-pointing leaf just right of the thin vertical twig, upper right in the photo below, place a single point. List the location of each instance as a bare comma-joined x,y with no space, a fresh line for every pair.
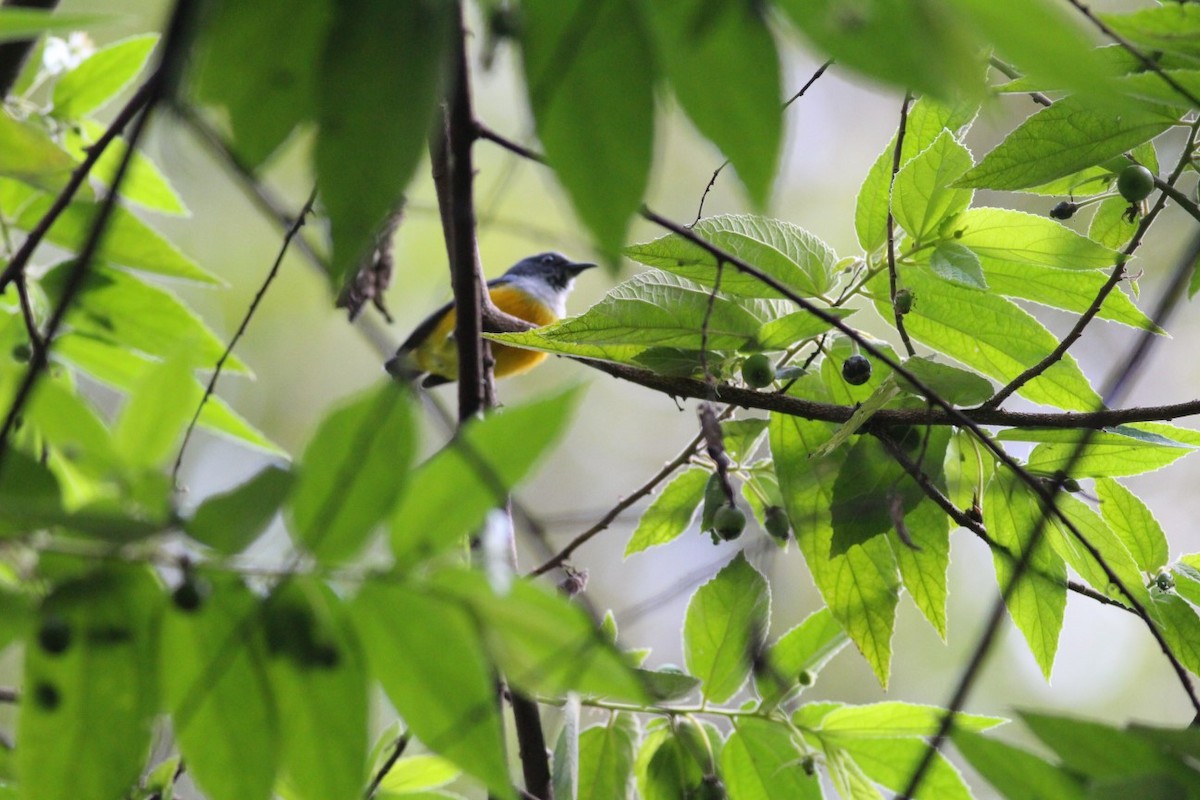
922,195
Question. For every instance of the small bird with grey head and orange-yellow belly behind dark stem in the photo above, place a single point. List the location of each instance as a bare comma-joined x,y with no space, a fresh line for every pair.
533,290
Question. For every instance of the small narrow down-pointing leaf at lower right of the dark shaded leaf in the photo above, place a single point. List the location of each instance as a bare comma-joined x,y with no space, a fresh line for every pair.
923,567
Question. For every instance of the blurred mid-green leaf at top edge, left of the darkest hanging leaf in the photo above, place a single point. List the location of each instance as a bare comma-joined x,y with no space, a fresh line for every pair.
265,81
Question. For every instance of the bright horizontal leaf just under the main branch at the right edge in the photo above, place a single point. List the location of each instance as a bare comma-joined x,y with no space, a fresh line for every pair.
1112,453
